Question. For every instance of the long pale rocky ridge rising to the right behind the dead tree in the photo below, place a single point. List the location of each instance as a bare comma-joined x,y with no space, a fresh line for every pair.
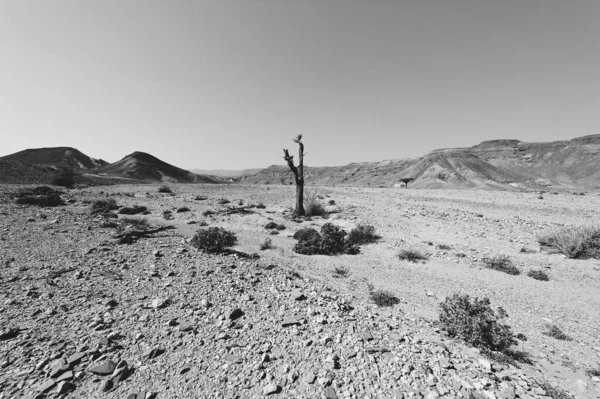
502,164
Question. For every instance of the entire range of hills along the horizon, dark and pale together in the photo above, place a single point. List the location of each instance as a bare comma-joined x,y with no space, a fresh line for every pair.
496,164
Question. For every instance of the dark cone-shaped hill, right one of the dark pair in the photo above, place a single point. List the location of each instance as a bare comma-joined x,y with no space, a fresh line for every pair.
145,167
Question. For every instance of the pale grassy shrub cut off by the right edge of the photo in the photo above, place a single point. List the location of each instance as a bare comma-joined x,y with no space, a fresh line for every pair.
577,242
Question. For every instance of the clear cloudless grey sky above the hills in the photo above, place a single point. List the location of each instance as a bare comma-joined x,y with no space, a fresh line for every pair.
225,84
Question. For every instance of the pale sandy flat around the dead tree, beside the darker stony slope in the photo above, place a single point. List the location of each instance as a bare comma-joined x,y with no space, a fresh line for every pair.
474,224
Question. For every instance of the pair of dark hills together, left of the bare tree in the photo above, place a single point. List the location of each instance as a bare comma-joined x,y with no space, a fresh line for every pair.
41,165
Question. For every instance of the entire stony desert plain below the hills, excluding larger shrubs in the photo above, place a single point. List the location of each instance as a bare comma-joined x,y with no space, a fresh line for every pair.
109,294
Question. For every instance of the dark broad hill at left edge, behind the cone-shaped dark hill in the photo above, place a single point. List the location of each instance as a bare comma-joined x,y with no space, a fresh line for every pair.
61,157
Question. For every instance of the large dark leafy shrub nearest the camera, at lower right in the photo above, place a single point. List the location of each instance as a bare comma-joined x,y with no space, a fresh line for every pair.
476,322
